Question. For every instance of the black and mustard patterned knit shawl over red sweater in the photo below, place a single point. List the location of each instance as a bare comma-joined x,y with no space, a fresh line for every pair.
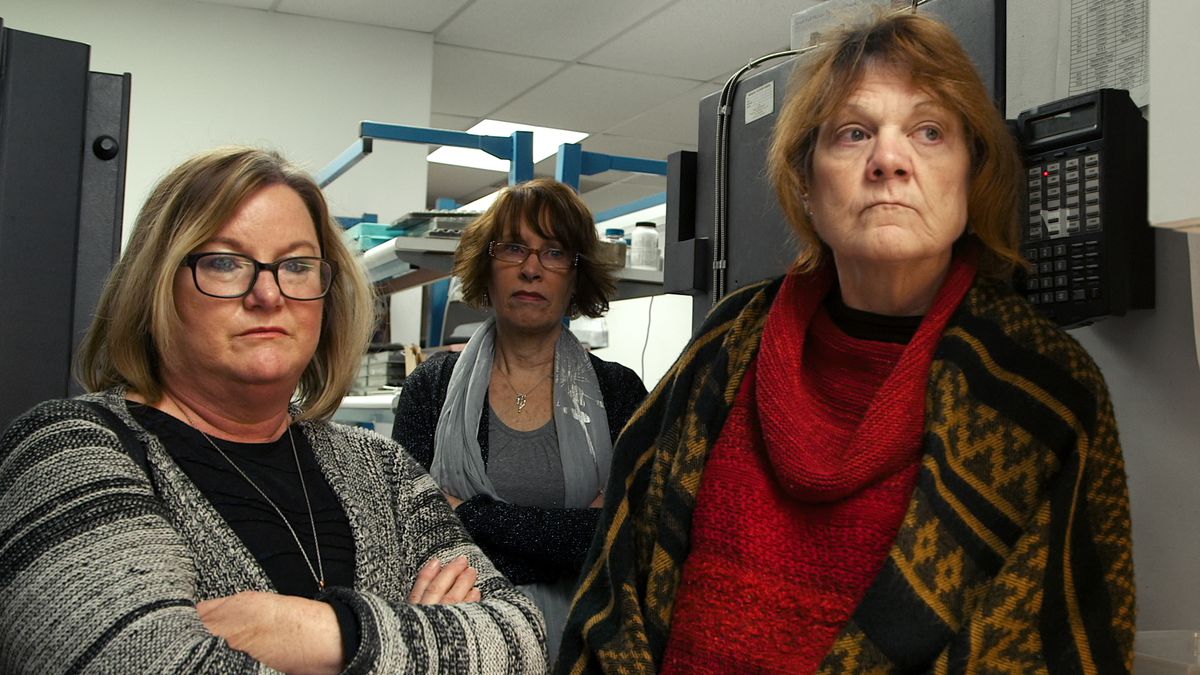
1015,554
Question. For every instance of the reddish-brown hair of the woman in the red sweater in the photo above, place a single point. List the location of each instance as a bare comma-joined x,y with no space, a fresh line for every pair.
938,64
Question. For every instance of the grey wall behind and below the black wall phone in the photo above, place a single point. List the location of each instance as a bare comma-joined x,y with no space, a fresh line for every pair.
1150,363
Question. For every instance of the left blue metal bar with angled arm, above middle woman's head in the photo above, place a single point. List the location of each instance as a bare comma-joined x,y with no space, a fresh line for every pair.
517,148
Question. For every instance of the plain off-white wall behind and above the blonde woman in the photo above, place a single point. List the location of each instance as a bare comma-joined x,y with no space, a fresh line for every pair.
209,75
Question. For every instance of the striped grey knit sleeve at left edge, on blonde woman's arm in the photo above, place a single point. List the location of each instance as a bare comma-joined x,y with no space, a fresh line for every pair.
93,575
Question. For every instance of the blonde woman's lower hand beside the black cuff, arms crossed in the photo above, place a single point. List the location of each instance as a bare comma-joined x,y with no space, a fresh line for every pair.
285,632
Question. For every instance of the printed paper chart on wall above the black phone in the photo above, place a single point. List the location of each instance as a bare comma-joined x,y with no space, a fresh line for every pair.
1105,44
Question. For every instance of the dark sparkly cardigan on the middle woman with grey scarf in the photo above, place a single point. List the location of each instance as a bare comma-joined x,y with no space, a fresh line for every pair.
526,543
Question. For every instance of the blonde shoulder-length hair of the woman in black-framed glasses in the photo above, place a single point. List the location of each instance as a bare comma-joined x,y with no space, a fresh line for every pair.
137,322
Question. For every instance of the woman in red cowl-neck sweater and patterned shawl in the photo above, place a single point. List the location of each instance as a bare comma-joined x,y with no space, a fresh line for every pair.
885,461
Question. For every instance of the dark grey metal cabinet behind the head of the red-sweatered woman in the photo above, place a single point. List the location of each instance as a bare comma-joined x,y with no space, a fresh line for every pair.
759,242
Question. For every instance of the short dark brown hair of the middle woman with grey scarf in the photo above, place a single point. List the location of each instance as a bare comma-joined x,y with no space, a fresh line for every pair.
554,211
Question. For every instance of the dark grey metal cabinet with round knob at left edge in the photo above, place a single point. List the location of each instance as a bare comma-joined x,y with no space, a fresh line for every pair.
63,138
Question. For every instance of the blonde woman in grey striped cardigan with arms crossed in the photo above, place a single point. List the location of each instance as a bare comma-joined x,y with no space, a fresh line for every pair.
197,511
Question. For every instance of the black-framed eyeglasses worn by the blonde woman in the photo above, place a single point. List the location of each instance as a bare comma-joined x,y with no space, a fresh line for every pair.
233,276
